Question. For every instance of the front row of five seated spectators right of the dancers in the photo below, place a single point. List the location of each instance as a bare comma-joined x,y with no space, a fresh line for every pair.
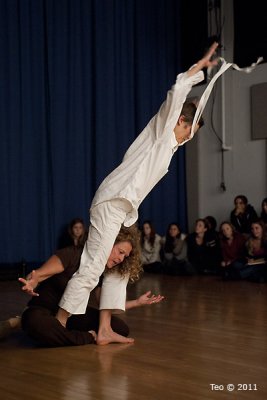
228,253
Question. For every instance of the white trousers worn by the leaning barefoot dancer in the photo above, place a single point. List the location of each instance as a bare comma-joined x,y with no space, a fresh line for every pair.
106,219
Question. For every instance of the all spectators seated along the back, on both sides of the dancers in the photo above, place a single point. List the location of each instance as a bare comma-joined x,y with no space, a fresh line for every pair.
204,251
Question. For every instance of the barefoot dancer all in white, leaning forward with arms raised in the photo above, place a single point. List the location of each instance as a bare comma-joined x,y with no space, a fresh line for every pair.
117,199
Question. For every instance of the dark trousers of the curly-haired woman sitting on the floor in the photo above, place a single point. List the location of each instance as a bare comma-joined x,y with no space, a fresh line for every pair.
40,324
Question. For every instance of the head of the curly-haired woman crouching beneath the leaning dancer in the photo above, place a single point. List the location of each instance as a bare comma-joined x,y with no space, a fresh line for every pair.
125,254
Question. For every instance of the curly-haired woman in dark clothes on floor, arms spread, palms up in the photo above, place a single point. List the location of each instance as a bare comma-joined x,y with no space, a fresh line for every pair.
38,320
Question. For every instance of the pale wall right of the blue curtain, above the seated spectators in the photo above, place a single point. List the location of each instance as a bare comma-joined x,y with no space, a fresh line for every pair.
244,165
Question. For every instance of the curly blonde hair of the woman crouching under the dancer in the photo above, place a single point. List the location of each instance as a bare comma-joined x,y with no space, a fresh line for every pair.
131,265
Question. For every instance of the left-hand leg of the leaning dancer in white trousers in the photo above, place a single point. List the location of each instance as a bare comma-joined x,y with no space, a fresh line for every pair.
106,221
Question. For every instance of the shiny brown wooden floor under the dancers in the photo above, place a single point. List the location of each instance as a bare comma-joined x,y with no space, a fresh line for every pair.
207,332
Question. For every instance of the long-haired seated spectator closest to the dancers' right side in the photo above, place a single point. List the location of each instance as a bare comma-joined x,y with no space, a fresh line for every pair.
150,248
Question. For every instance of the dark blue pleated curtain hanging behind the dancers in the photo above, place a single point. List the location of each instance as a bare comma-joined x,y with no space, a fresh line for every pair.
79,79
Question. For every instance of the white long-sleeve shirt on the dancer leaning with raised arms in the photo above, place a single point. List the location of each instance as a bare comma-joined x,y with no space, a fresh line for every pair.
148,158
